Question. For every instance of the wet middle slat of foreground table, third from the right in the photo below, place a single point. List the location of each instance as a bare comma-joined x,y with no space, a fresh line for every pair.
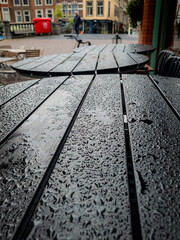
87,194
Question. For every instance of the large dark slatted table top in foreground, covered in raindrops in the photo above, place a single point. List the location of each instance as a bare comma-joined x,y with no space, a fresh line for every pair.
91,157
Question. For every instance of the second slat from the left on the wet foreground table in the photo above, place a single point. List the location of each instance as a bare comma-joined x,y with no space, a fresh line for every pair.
16,110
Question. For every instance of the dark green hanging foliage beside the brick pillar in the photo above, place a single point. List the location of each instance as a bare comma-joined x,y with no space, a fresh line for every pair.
135,11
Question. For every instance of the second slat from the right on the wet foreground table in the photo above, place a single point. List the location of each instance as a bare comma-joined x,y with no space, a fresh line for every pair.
155,140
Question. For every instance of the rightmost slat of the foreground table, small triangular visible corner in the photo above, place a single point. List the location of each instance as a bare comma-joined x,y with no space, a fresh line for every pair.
170,88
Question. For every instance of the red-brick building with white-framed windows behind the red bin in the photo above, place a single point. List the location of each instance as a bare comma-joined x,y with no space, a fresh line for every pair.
23,11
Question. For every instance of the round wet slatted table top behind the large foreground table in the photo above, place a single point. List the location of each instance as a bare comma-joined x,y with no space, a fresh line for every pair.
93,59
